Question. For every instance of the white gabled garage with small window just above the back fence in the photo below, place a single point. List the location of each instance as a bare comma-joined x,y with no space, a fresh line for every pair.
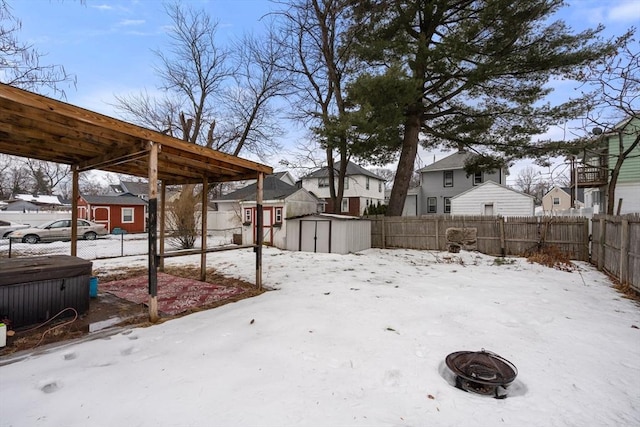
490,198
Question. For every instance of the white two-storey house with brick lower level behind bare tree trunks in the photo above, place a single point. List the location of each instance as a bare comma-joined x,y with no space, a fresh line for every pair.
361,188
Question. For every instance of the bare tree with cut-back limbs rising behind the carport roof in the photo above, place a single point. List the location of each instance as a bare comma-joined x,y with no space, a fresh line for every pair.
211,98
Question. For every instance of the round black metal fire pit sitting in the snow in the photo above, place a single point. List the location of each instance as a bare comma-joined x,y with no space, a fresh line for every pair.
482,372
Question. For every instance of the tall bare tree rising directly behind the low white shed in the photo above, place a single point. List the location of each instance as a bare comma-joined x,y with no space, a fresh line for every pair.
320,59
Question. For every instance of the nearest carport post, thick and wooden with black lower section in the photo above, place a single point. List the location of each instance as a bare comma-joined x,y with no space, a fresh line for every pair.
152,232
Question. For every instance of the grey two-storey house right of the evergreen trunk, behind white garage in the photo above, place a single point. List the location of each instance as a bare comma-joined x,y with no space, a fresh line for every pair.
446,178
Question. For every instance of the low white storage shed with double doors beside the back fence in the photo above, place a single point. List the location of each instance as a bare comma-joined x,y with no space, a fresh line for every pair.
328,233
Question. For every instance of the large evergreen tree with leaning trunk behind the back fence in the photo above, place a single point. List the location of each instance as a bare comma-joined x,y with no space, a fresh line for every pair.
461,73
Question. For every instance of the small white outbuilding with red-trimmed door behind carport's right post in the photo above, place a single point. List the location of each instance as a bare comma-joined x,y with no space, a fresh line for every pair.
280,200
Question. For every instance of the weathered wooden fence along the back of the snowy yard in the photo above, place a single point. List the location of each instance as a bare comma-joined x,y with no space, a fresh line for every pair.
495,235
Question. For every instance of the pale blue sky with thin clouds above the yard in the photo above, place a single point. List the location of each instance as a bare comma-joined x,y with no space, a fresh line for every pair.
108,44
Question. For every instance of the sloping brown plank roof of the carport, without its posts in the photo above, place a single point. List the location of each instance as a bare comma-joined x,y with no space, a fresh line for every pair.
42,128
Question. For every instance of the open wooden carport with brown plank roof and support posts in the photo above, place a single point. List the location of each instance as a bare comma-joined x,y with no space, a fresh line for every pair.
38,127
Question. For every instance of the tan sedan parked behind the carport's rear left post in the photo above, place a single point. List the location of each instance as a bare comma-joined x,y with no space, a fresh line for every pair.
58,229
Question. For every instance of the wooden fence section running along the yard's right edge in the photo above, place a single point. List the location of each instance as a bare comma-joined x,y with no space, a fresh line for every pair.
616,247
